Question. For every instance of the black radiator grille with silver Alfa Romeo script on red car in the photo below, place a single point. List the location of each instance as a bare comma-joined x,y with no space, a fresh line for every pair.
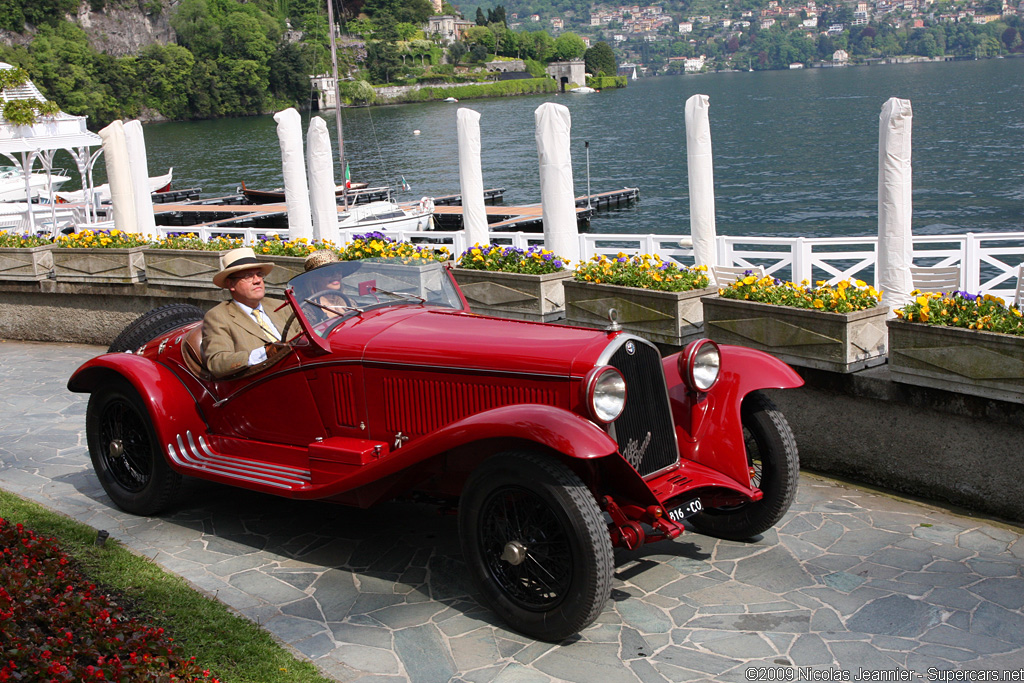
646,432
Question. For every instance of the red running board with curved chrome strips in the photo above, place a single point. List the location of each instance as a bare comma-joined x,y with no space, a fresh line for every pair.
202,458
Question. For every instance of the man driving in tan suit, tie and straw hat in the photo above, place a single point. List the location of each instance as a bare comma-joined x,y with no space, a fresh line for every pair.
241,333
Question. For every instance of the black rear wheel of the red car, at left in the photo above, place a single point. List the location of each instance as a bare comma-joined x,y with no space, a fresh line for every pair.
125,451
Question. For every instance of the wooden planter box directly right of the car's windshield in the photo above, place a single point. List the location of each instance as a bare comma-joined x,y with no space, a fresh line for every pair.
520,296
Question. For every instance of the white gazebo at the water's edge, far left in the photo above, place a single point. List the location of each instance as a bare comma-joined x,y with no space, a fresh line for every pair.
24,145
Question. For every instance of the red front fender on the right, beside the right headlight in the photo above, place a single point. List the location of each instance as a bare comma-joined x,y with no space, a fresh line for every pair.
709,426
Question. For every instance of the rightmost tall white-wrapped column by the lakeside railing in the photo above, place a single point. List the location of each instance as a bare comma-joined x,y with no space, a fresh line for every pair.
895,206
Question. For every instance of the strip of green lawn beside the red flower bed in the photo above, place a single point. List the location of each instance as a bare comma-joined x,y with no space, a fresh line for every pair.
233,648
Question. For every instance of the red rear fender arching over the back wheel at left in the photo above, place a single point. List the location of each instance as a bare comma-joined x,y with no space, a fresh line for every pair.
173,409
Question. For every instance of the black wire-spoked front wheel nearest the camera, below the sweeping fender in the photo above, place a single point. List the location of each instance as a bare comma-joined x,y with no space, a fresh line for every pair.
537,545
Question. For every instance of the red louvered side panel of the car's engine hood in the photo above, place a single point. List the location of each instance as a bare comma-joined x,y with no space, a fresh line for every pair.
419,407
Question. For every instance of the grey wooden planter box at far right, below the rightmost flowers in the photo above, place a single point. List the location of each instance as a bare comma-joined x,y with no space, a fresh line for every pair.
971,362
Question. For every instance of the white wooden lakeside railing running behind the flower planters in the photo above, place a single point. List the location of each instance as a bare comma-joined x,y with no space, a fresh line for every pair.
989,263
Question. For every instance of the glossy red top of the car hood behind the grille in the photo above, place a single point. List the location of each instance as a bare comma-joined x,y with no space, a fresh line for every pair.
462,340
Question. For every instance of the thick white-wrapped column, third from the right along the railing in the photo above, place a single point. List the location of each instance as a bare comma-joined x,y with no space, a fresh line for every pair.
558,197
